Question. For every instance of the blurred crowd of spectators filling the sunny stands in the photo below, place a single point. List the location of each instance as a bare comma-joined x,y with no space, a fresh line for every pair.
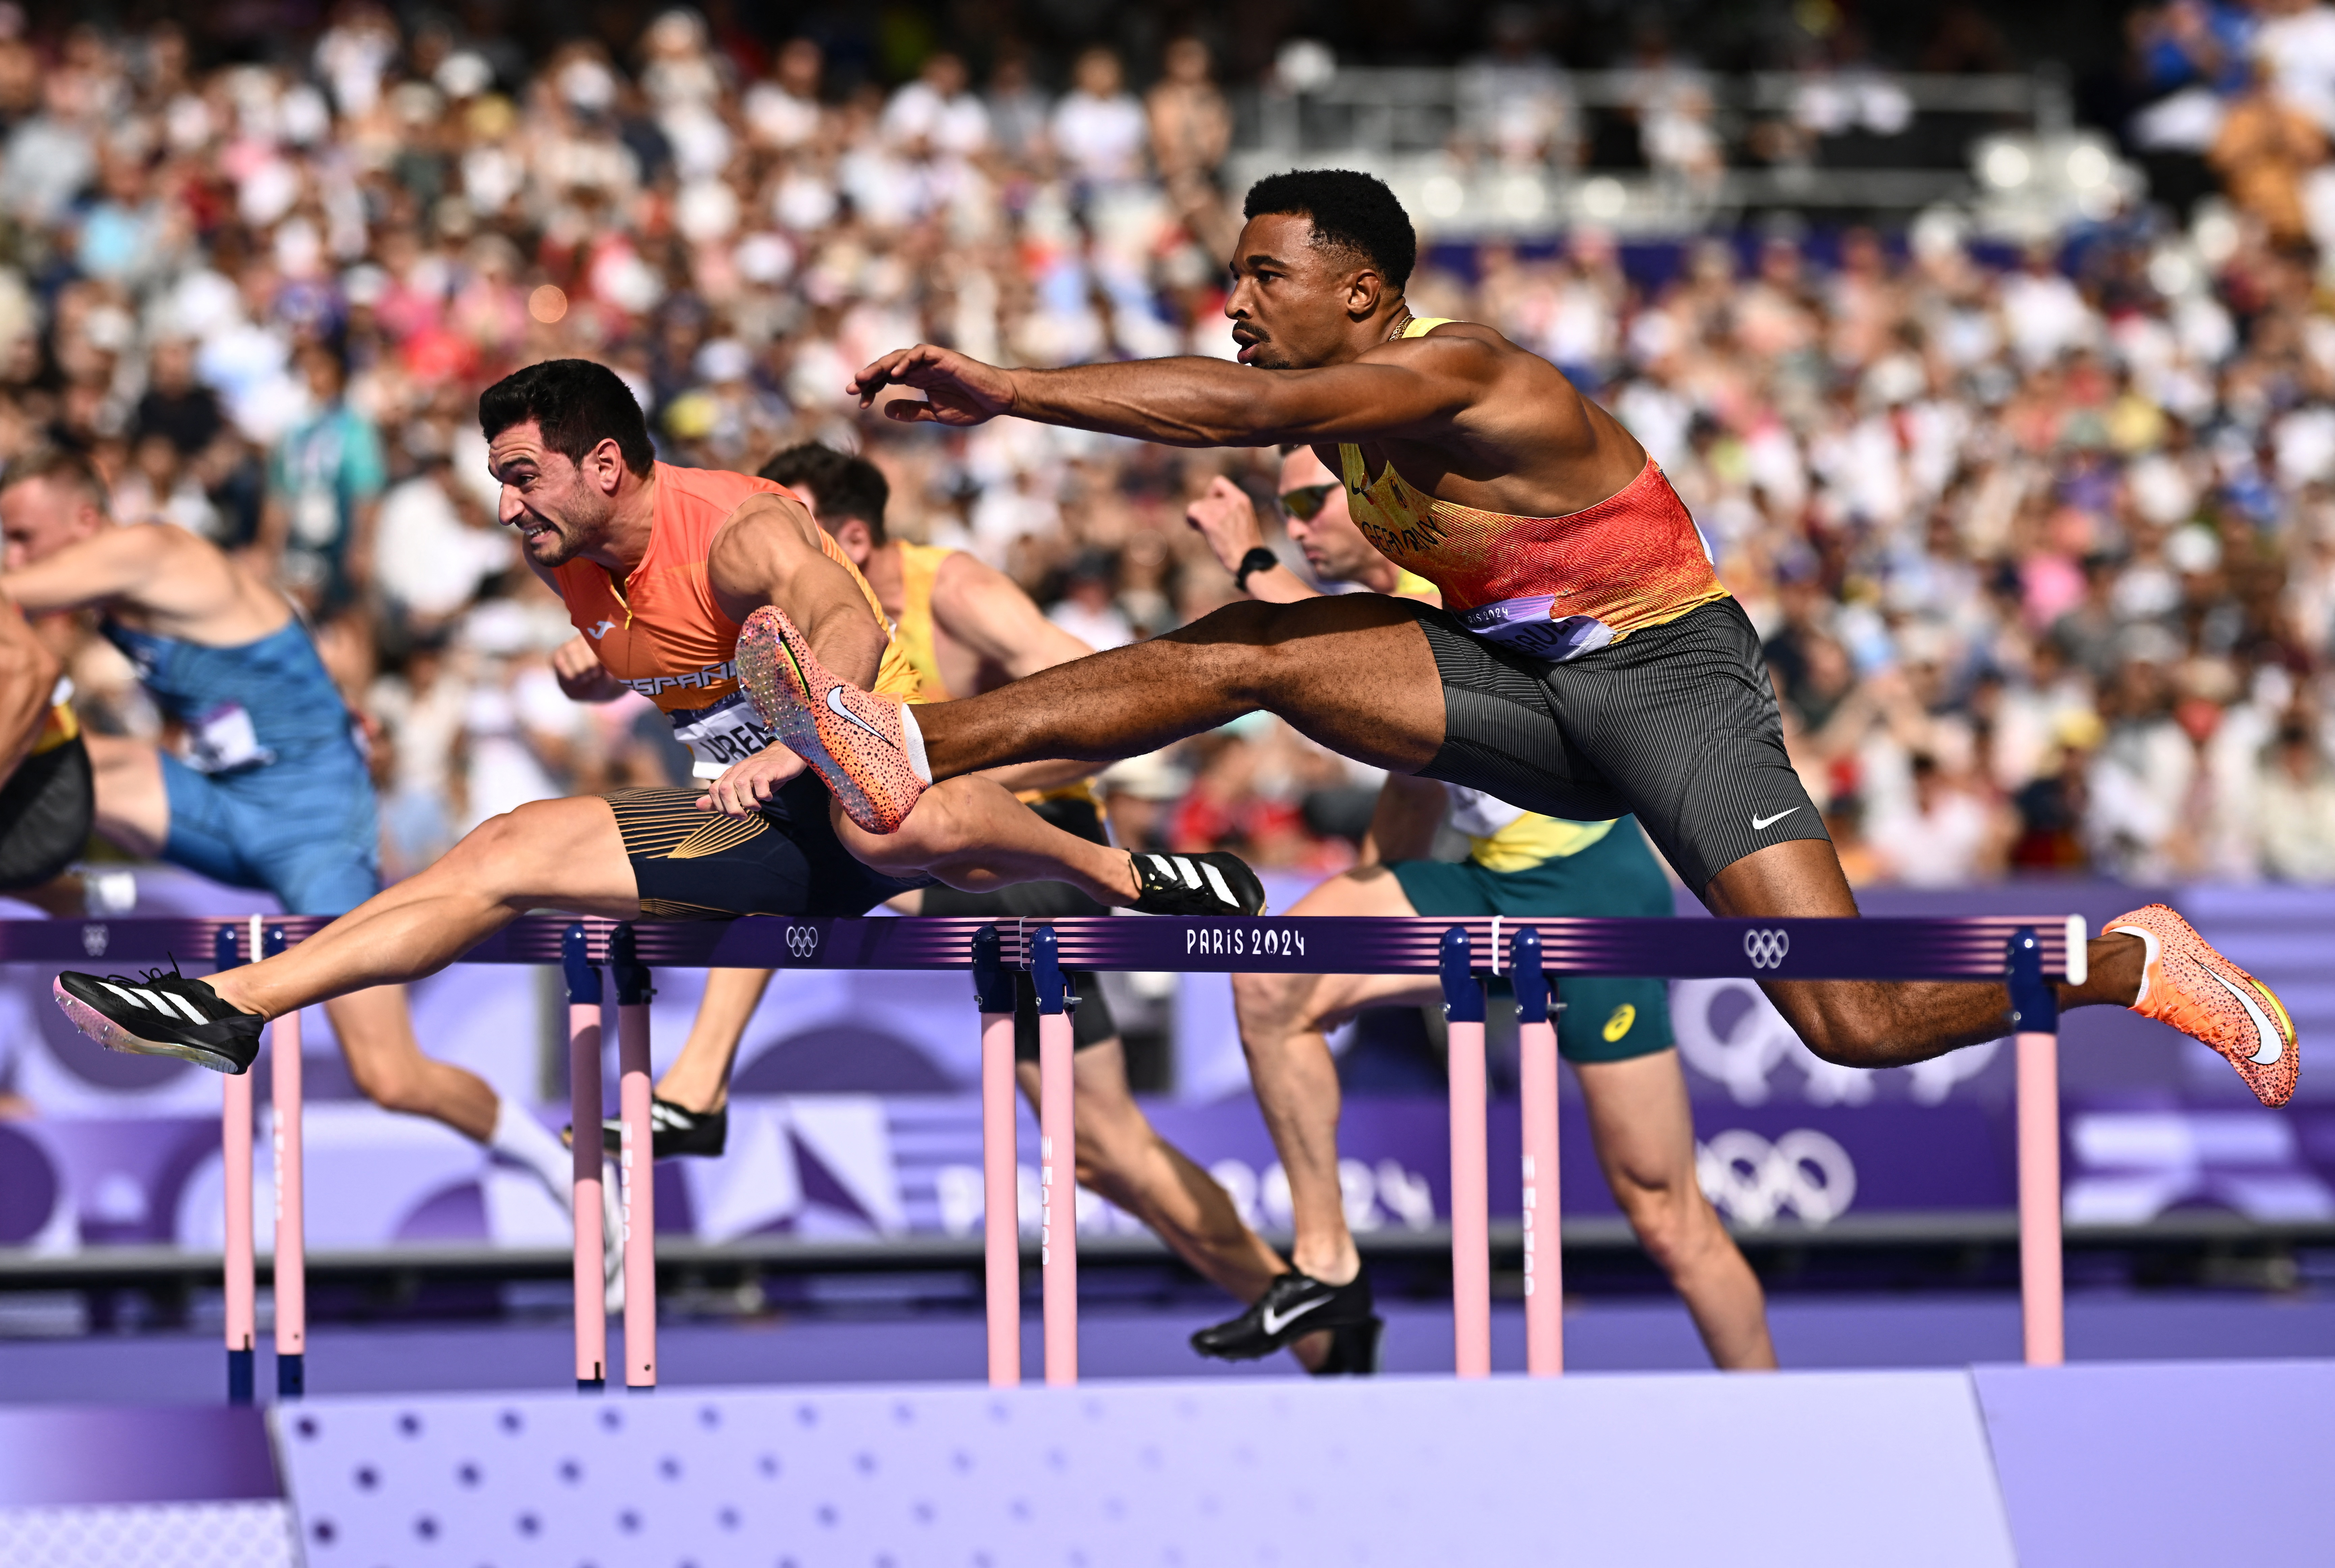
2042,545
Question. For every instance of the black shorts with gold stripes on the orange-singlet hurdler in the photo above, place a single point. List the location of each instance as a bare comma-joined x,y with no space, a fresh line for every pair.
786,860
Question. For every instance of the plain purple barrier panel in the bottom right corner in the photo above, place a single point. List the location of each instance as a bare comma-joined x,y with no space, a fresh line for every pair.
2163,1466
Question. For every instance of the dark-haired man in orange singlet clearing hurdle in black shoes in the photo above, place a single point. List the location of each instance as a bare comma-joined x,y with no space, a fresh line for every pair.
660,568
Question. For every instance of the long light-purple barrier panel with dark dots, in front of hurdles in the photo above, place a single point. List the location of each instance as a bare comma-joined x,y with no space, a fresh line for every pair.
1647,1471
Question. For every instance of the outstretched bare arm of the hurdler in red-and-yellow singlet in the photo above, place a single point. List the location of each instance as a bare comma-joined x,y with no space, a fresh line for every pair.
1407,388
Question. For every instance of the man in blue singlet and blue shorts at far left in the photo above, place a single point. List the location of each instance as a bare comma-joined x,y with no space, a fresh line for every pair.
270,787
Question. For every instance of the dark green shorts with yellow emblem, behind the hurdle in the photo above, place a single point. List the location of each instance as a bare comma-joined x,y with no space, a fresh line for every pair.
1605,1018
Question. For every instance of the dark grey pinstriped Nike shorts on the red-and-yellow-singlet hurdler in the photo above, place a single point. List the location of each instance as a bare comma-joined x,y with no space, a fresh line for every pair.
1675,724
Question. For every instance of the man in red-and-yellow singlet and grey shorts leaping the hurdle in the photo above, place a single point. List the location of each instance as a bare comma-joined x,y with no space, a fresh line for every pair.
1584,664
